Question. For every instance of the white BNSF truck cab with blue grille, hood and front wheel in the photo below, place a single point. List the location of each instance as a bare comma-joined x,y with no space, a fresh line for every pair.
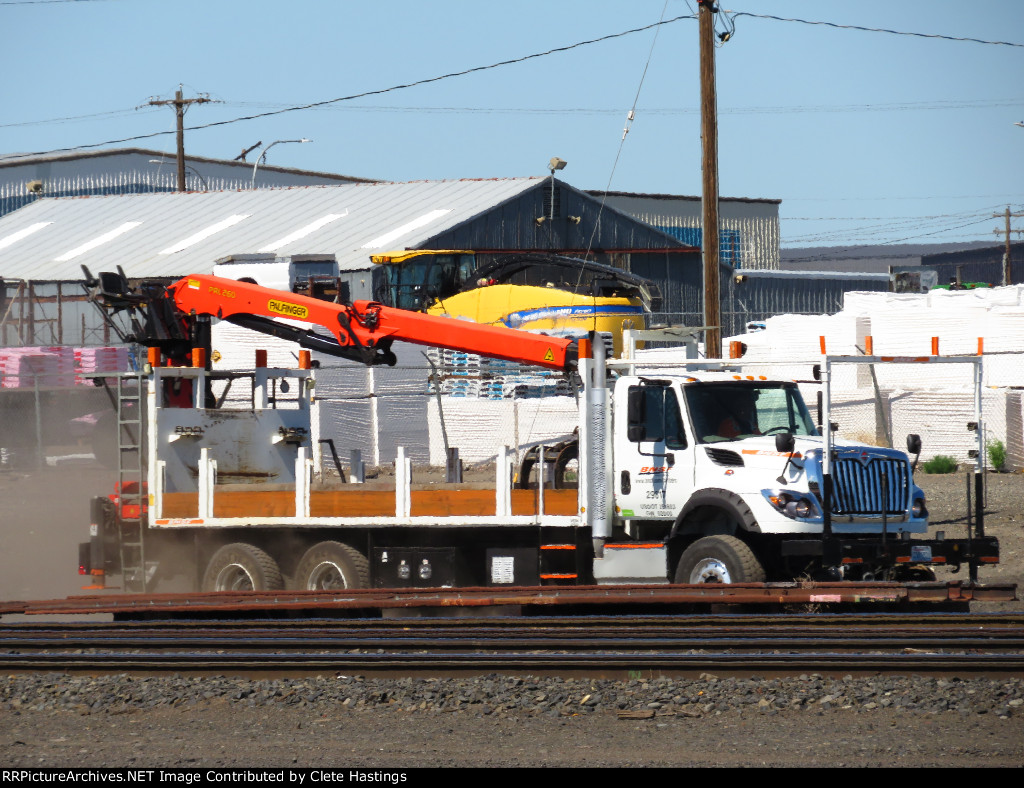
729,471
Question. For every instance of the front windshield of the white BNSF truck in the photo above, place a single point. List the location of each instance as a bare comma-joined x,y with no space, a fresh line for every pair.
731,411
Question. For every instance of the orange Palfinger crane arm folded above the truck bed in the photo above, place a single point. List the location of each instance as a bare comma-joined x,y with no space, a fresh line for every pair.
172,319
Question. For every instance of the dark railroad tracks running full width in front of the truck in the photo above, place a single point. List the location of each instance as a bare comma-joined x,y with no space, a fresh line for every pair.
976,644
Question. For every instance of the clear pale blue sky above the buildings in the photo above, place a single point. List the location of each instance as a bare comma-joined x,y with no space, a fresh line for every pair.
866,138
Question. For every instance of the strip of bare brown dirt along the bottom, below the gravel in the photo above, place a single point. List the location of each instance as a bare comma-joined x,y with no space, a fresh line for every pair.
219,735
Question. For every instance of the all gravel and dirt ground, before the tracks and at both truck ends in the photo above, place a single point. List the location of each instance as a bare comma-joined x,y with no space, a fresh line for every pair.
120,721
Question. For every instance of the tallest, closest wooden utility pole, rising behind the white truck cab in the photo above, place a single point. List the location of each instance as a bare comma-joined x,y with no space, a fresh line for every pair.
709,168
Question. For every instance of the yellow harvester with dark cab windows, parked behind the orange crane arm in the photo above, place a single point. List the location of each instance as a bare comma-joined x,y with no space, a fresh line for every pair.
557,295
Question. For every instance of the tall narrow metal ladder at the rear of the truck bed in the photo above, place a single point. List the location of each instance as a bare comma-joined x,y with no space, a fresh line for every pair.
132,498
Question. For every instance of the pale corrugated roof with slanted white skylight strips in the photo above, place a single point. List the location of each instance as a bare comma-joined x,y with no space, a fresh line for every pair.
173,235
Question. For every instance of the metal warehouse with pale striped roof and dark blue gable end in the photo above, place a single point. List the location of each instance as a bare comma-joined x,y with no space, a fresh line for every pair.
168,236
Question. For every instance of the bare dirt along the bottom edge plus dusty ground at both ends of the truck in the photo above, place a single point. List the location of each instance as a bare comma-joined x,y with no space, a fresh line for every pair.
46,515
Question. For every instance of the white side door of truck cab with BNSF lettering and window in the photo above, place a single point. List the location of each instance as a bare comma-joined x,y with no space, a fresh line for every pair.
654,466
